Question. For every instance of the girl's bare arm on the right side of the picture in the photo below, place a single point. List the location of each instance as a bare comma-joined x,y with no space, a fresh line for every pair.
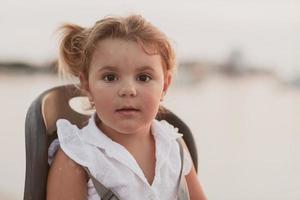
195,190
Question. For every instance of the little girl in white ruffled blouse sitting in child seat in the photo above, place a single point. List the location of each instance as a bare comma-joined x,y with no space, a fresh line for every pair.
125,67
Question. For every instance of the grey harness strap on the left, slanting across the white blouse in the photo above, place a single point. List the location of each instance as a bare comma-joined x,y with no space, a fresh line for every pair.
103,192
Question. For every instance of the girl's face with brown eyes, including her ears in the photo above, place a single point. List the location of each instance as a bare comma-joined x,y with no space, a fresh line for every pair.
126,85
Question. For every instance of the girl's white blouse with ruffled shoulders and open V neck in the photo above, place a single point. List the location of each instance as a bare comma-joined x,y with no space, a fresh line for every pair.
112,165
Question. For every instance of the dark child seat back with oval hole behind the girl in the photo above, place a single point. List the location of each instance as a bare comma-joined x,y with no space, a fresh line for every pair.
40,131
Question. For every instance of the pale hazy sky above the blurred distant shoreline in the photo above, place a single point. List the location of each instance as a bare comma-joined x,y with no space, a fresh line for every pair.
266,31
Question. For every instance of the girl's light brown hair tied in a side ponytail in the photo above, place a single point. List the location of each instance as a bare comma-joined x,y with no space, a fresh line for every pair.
78,44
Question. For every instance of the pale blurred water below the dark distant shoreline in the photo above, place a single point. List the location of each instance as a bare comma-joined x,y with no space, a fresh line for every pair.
246,129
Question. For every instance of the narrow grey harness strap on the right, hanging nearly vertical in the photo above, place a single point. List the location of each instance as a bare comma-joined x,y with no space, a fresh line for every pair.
183,192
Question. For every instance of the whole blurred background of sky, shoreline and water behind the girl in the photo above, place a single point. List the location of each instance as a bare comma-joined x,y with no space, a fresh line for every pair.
238,85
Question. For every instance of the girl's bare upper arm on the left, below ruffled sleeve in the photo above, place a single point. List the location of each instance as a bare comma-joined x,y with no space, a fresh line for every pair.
66,179
